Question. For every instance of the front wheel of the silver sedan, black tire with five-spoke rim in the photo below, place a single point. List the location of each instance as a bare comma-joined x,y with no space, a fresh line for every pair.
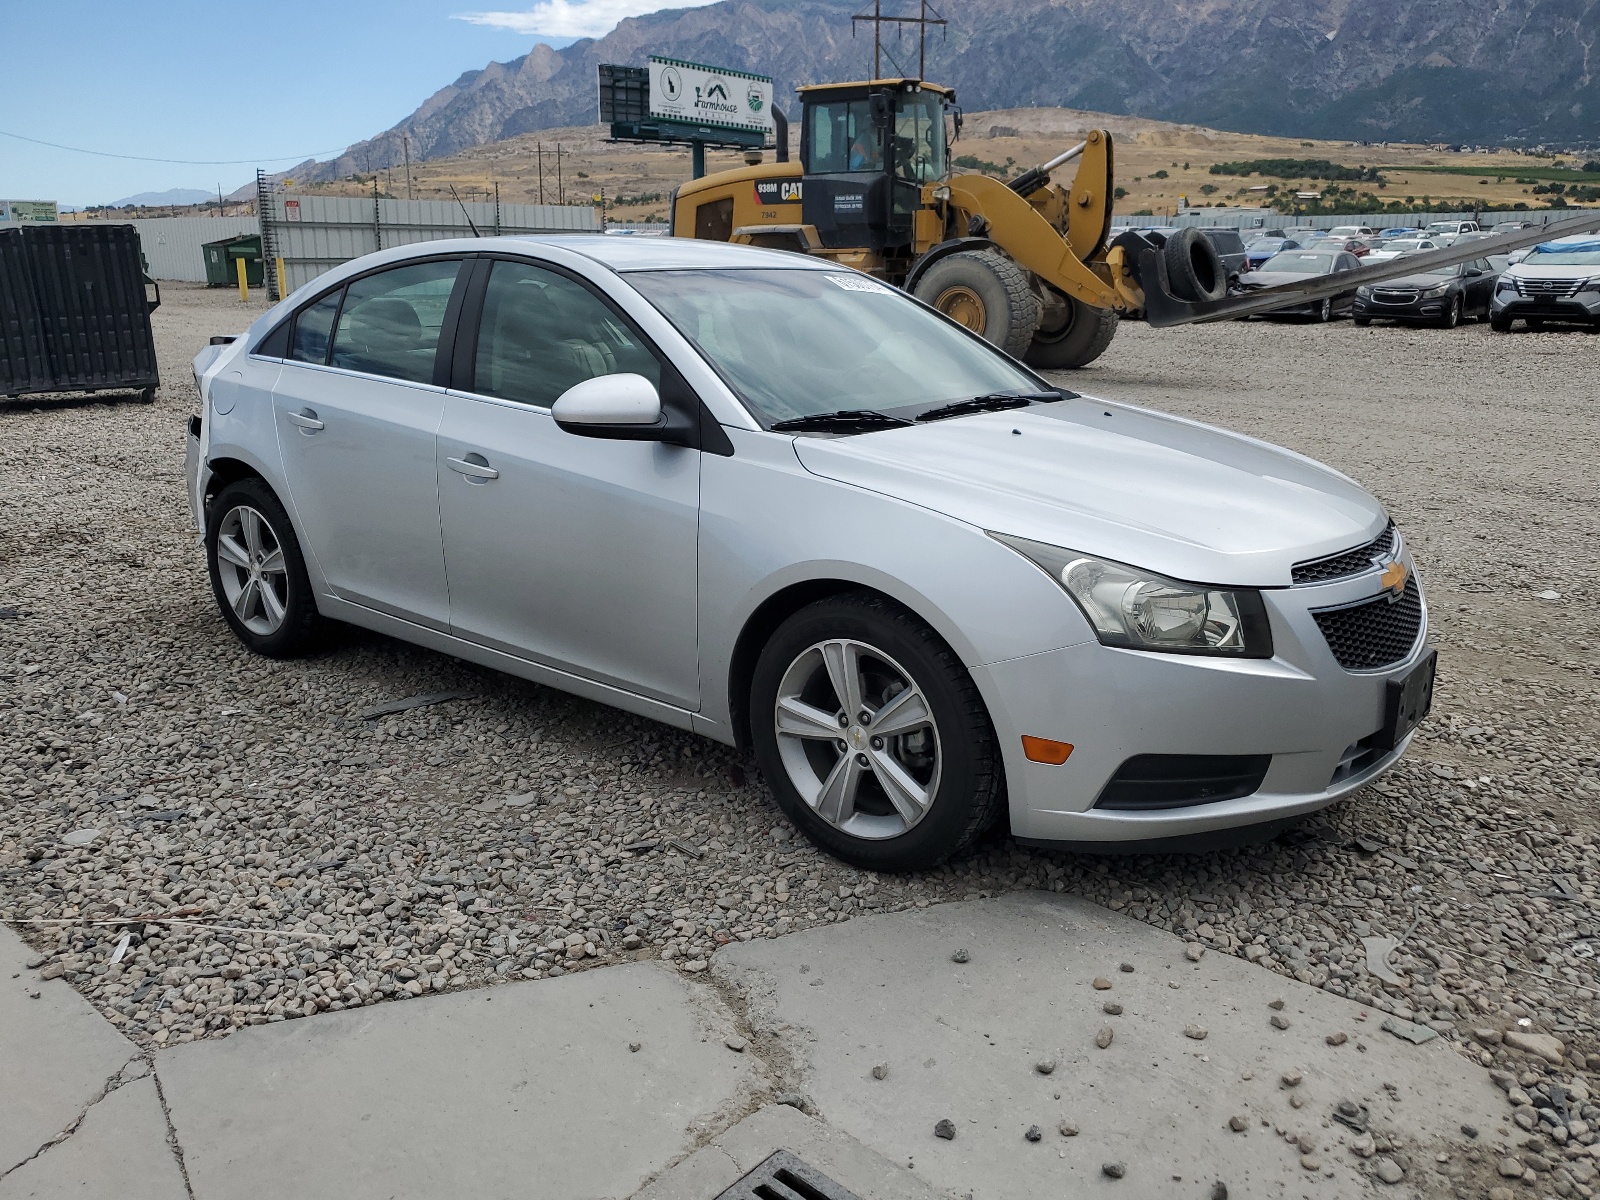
946,753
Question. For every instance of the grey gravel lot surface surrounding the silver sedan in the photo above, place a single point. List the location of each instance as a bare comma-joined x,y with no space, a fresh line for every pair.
266,852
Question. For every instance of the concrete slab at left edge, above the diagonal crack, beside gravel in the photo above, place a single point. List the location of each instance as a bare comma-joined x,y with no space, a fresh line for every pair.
57,1055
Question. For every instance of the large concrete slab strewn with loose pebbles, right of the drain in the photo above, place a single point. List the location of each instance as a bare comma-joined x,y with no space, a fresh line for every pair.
962,1044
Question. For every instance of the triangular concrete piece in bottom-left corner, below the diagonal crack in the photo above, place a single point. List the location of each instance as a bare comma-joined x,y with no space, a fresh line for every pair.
119,1153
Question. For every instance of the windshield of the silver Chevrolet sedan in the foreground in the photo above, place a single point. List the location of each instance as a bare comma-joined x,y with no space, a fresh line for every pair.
799,343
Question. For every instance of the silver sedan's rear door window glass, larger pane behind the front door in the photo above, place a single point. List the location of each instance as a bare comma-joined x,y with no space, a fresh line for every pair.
391,321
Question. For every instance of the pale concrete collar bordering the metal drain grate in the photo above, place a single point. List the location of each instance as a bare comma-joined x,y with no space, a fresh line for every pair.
742,1150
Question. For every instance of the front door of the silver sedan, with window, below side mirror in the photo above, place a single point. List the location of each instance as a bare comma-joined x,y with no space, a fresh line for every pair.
570,551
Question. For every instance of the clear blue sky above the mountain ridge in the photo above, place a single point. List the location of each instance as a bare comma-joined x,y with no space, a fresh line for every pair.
270,84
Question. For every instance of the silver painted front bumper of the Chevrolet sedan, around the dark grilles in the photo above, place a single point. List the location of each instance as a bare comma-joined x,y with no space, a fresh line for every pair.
1302,708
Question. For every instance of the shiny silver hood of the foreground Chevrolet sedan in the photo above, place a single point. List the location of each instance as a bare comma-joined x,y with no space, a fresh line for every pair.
1143,489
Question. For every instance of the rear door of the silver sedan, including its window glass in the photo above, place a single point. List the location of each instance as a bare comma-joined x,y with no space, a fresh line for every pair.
358,415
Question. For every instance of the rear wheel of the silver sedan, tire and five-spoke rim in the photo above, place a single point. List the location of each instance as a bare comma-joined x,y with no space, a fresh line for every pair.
260,580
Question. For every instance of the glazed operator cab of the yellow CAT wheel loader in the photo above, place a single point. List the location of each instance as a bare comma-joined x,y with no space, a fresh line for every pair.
866,151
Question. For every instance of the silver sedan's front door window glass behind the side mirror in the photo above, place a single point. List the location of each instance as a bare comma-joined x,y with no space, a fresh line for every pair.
542,334
